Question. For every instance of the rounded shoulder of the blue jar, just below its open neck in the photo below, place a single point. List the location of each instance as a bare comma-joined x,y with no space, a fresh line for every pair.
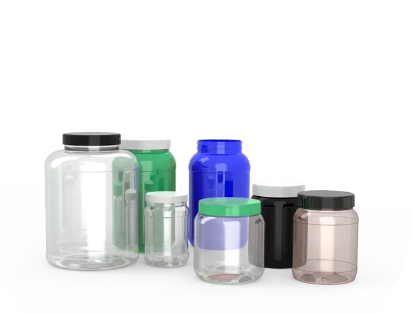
215,162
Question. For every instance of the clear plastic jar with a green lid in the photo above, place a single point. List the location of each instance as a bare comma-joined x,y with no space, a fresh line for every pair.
229,240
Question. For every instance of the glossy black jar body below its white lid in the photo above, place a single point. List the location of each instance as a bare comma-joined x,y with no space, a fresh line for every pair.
278,214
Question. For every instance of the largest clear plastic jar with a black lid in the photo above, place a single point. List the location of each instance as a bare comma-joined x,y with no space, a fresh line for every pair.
91,203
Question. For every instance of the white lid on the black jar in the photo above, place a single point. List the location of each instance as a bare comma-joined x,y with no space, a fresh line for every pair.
278,188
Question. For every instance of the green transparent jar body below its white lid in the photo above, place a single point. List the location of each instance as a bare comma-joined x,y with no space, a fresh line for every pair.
156,172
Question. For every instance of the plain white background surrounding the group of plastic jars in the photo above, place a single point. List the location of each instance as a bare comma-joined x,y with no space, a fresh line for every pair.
319,91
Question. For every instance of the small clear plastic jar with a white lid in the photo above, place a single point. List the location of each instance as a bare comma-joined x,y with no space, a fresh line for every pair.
166,229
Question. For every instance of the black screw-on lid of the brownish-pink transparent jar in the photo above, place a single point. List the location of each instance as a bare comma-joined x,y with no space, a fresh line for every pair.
332,200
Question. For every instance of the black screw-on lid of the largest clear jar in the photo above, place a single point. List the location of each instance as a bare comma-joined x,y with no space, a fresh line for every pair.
91,139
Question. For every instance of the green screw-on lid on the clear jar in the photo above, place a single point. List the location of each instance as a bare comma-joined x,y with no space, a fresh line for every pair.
229,206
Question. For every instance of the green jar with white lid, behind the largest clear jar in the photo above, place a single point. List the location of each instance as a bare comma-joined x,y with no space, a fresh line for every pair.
157,171
